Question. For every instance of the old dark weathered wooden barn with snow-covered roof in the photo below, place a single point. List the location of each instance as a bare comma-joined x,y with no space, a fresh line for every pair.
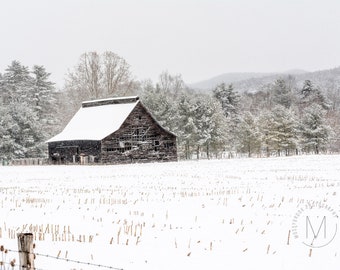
114,130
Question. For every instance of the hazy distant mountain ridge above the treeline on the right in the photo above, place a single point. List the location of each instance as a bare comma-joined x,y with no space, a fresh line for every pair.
253,82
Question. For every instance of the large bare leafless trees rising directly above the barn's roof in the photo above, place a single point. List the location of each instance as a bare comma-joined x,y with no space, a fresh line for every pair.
97,76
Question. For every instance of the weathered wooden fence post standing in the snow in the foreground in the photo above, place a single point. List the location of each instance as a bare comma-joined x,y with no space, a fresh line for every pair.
25,248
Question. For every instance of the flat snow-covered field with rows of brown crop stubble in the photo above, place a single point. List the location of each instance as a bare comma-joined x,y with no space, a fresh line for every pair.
219,214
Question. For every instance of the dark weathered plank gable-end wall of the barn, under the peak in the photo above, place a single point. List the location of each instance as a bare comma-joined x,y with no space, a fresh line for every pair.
140,138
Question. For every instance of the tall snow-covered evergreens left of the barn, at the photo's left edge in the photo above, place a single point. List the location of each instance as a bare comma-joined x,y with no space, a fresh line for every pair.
25,111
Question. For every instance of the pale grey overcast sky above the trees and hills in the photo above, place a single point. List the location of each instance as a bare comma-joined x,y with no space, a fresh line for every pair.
196,38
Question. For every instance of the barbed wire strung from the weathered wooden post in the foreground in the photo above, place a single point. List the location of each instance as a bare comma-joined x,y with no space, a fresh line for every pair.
11,266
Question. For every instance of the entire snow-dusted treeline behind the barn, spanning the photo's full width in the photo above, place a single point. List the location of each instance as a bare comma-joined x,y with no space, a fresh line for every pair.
282,118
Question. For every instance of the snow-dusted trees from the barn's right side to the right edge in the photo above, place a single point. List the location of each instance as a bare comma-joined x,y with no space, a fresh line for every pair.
283,119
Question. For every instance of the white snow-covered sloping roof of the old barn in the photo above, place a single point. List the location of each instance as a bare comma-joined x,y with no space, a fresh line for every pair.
97,119
